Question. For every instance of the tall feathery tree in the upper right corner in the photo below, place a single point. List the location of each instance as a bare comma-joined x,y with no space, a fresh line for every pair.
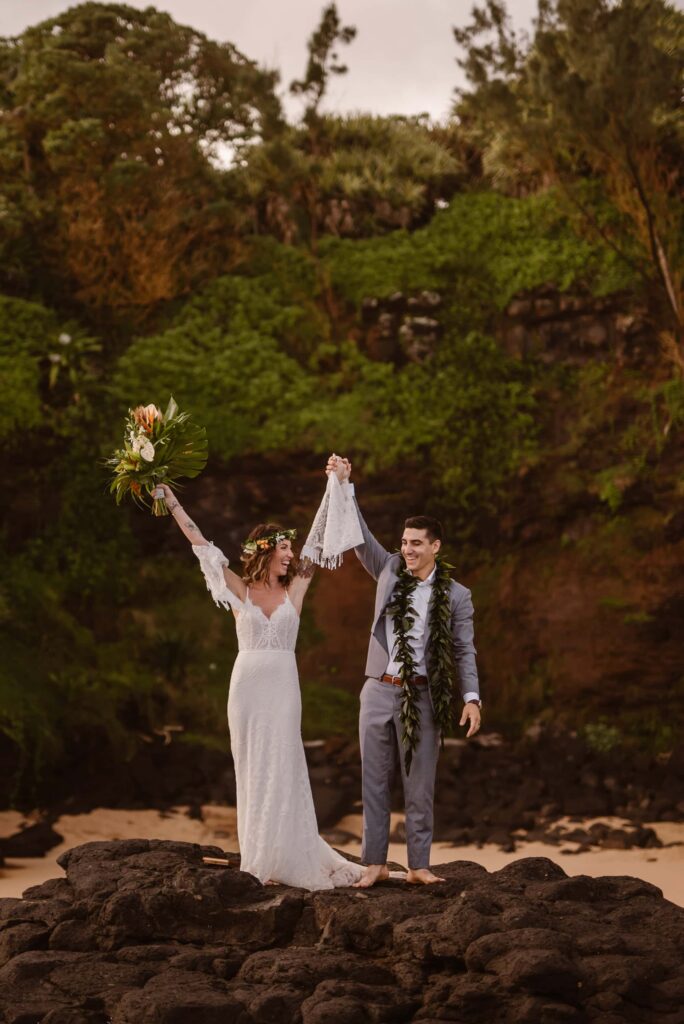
591,102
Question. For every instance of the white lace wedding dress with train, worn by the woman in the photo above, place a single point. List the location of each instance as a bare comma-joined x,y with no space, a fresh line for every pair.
277,826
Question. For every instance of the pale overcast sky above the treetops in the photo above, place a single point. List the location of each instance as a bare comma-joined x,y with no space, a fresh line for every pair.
402,62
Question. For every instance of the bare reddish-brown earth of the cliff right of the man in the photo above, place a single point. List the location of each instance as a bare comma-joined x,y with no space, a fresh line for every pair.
592,628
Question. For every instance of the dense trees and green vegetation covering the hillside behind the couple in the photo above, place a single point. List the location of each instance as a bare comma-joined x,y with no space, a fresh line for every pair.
164,229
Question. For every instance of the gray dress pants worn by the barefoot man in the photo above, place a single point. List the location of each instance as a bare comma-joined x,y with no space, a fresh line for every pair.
380,734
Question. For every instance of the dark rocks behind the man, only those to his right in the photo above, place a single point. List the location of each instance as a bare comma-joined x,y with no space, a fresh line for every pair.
510,792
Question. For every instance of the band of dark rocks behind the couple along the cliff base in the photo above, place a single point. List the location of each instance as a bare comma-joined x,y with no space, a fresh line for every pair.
488,791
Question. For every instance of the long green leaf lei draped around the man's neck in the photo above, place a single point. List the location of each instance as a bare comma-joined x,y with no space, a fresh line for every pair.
442,670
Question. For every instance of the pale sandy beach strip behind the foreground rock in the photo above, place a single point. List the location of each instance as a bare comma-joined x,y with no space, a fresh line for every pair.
663,868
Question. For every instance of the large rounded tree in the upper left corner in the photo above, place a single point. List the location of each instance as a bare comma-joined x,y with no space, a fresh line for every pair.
110,119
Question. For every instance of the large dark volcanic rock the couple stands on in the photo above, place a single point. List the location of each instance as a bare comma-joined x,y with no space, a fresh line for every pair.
143,932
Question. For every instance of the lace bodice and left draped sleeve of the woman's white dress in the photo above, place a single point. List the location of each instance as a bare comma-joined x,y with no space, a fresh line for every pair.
256,631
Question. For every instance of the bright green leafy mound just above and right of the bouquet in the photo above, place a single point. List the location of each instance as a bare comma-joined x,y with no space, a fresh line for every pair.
225,363
